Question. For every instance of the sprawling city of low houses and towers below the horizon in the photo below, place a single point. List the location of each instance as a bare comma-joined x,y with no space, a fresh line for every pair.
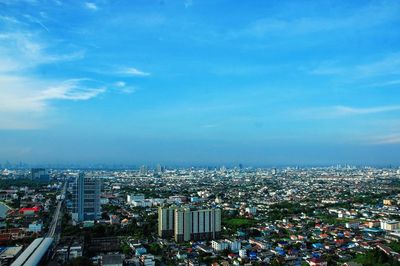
339,215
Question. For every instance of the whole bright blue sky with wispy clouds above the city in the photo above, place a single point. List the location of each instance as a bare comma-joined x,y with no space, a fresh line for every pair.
200,82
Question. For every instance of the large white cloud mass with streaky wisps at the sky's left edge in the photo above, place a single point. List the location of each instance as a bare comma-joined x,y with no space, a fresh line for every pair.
26,99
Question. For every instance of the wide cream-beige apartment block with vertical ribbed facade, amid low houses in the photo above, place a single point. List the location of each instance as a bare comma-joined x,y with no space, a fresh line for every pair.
186,223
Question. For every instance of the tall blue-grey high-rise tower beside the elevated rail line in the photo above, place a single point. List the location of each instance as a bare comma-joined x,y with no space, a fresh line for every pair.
86,198
